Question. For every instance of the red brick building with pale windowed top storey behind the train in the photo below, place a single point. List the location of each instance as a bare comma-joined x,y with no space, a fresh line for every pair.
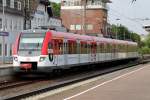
85,16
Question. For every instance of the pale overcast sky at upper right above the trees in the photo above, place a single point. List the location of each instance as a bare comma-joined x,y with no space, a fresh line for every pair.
130,14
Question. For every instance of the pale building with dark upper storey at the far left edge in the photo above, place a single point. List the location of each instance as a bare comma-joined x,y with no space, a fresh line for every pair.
11,21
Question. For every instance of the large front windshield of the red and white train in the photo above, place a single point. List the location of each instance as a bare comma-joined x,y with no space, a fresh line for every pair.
31,41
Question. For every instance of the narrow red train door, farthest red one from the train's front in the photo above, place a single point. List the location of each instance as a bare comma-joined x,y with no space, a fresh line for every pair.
93,52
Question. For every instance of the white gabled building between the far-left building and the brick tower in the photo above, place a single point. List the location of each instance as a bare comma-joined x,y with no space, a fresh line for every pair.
43,17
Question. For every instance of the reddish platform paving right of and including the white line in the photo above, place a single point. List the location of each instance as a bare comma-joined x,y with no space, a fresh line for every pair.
134,85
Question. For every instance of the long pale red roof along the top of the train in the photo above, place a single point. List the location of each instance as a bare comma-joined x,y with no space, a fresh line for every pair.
73,36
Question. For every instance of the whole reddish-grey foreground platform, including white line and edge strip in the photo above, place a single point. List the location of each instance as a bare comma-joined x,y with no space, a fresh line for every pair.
130,84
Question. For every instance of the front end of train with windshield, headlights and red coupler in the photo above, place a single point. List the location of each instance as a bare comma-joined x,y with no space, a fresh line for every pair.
30,53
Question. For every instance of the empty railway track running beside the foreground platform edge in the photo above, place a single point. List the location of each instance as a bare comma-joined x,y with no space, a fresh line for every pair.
64,81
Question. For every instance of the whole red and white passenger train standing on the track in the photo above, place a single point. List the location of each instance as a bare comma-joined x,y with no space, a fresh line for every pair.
45,51
